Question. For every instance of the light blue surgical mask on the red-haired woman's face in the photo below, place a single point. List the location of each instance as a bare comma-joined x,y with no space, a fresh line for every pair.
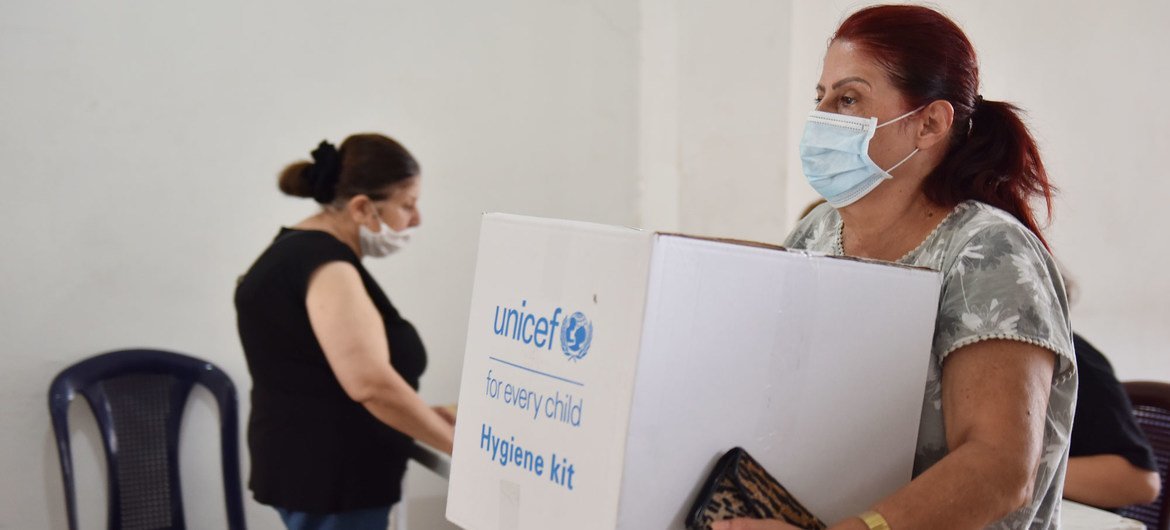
835,154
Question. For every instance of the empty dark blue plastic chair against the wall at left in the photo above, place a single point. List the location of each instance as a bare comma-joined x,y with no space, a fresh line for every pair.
139,398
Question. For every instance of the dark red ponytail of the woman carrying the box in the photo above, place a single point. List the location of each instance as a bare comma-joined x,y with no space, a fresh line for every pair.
994,160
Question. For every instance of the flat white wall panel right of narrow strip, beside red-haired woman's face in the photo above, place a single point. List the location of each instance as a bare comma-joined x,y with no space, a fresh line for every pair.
732,118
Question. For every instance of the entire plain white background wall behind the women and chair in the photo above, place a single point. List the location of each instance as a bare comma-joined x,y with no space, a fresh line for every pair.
141,144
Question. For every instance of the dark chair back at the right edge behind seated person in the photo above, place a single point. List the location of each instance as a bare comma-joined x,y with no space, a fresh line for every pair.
1152,411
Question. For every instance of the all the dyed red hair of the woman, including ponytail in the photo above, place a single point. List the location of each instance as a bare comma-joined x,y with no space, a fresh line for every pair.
993,157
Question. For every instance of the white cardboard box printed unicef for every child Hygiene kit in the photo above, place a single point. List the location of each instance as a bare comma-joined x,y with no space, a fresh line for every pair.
608,369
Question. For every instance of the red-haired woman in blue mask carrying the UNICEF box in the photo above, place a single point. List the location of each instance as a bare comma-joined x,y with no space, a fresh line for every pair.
918,168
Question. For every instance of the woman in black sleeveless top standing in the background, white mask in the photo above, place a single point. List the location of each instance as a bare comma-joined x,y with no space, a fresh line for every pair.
335,369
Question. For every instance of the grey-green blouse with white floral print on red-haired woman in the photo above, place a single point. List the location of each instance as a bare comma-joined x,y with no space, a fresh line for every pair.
1000,283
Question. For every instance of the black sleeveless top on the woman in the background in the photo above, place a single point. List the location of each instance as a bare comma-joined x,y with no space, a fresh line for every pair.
313,449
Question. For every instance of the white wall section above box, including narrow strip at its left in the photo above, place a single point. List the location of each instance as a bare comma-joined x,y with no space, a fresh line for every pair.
714,116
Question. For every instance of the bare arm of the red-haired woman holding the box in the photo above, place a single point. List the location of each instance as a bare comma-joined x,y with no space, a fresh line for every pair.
995,402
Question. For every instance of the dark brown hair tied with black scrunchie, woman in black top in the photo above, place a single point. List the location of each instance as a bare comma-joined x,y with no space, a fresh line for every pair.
366,166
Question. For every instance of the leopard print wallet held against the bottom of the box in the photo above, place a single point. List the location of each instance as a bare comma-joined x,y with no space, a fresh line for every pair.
740,487
